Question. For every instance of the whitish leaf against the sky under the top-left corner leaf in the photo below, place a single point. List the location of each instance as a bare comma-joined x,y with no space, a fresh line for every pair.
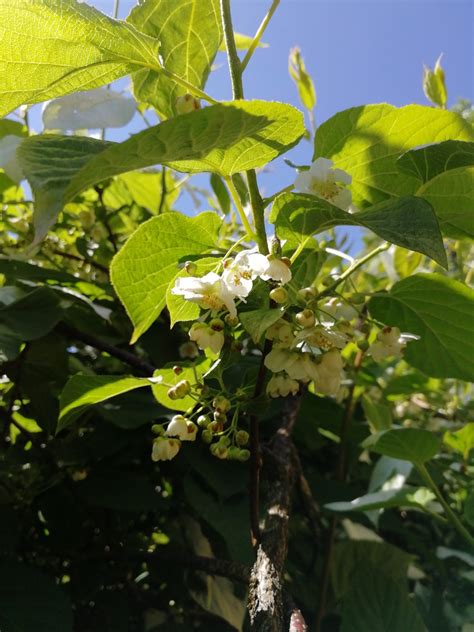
93,109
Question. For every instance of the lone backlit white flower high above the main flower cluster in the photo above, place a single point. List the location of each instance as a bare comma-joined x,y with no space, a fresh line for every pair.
324,182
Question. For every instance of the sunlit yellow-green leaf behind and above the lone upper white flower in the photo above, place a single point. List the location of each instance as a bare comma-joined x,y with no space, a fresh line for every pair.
366,142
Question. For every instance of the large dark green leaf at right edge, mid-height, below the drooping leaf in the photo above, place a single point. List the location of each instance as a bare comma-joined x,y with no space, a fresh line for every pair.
440,311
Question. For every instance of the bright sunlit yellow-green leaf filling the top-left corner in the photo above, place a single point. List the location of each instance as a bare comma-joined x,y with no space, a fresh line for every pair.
54,47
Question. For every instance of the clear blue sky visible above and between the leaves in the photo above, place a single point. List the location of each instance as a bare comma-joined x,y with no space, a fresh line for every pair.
357,51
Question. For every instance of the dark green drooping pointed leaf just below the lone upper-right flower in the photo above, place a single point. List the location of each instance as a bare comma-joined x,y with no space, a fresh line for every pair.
408,222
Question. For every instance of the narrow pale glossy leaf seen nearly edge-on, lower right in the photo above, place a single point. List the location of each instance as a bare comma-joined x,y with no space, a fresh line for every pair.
404,497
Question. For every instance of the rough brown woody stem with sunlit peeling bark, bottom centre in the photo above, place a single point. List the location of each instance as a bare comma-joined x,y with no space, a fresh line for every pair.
280,471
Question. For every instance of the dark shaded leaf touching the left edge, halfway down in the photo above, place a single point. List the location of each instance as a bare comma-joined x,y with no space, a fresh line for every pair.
17,316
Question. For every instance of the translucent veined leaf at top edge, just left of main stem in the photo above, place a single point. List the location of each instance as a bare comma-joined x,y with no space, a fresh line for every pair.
189,34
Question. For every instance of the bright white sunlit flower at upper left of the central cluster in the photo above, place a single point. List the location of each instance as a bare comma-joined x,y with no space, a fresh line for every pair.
209,292
